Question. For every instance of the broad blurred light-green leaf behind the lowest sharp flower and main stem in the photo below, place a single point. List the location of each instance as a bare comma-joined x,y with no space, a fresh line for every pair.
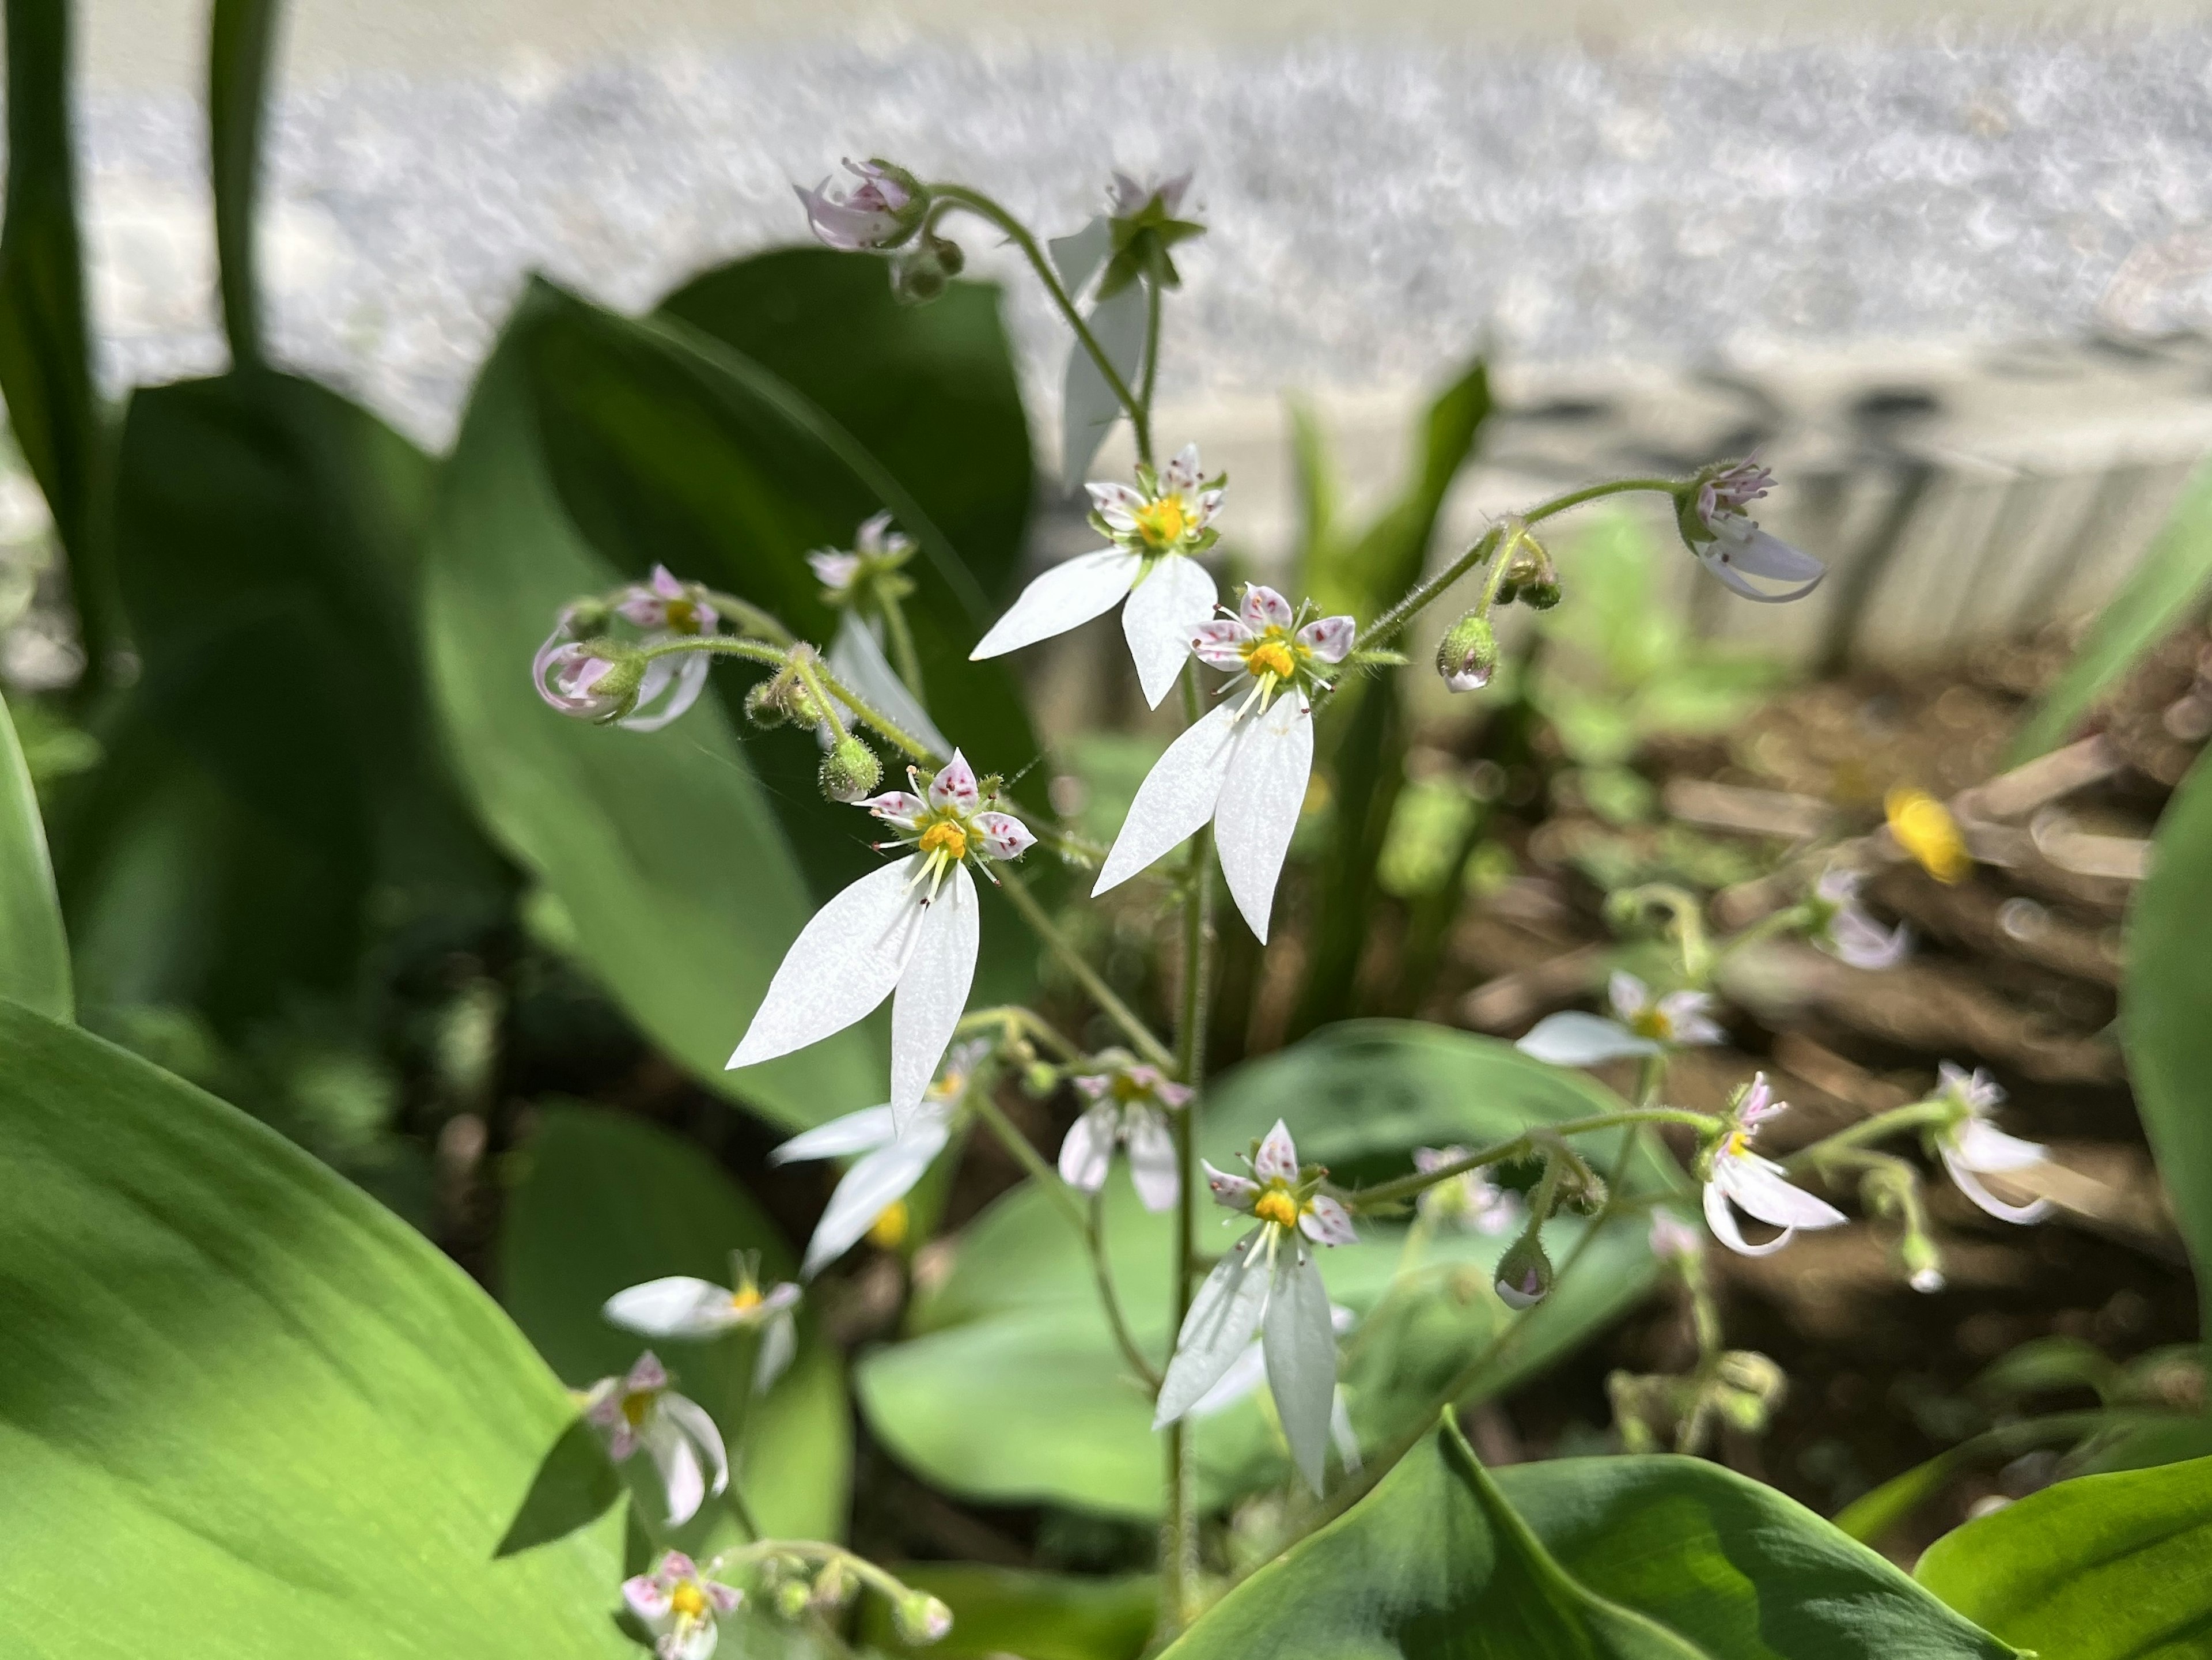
1010,1387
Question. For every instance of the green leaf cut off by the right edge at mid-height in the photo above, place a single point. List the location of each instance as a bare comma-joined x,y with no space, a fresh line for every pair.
2167,1013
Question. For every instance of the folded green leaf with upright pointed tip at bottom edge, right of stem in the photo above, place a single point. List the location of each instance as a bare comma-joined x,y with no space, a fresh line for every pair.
1585,1559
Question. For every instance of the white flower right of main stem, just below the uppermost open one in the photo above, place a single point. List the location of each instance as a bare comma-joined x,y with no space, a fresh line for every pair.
1246,762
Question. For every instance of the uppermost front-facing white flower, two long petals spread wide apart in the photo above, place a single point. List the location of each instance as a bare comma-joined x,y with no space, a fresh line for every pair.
1154,532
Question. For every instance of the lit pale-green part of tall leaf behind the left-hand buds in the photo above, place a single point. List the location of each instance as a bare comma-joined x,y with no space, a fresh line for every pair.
662,847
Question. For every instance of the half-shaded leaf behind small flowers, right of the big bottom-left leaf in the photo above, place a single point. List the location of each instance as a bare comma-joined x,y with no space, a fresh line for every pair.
603,1203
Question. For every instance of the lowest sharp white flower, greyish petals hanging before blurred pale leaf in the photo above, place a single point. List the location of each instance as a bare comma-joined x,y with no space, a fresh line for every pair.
1269,1285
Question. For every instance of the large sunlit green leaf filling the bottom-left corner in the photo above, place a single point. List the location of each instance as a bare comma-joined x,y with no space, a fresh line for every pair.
262,1398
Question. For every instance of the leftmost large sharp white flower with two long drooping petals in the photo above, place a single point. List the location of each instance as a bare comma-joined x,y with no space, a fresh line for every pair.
906,933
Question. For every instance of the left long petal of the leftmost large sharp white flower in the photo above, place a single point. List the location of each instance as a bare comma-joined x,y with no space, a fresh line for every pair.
842,966
